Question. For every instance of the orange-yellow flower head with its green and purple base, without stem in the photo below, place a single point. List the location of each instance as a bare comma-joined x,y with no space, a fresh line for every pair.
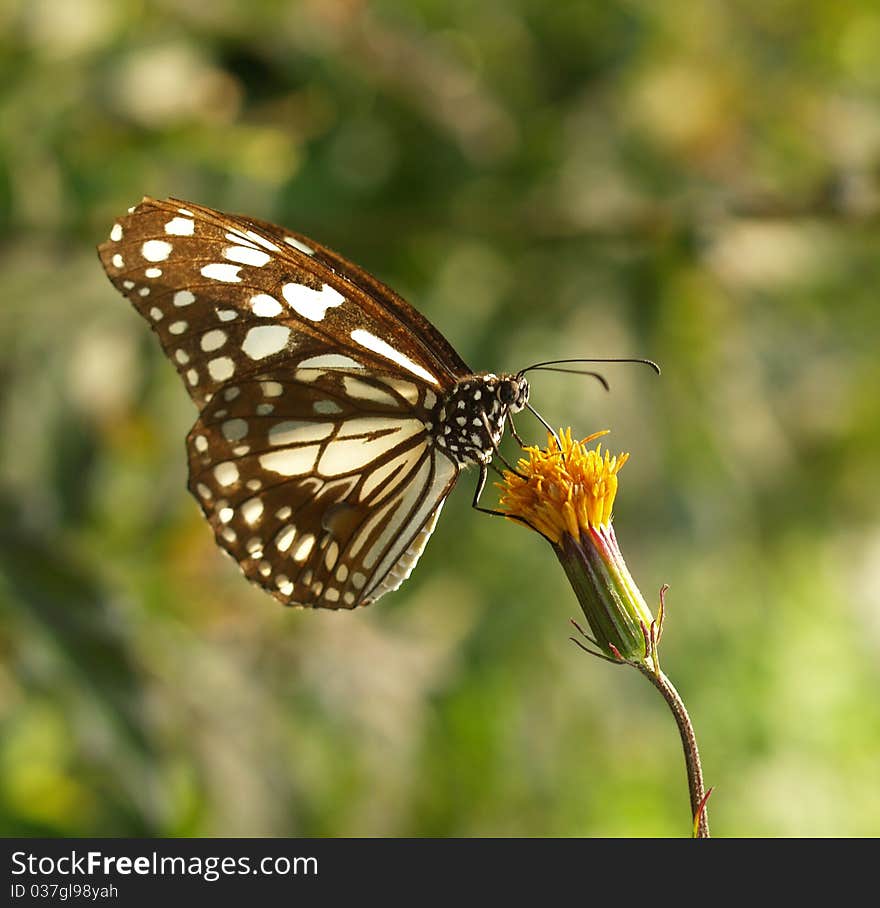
566,493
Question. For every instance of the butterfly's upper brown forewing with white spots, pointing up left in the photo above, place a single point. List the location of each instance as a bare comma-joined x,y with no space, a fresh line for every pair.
231,297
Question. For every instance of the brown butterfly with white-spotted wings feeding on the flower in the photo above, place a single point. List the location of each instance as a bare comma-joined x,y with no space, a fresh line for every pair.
334,419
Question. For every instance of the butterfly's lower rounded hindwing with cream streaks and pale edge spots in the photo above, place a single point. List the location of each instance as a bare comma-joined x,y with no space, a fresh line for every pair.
320,484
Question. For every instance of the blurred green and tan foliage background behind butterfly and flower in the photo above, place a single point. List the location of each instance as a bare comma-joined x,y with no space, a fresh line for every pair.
694,182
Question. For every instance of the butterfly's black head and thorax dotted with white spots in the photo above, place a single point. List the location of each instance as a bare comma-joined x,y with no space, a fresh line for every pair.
470,418
